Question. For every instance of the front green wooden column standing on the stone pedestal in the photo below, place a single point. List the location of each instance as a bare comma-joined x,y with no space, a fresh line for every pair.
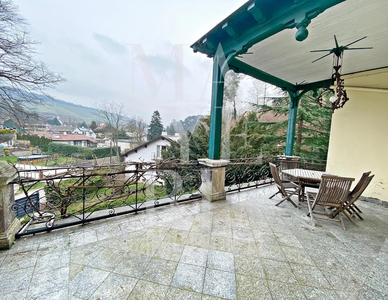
216,110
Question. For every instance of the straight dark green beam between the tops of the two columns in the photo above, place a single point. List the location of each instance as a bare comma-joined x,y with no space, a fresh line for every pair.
241,67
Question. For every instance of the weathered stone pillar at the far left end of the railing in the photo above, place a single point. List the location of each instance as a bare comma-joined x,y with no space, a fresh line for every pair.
9,224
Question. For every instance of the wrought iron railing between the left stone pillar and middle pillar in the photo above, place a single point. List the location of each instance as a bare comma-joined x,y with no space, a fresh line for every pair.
70,196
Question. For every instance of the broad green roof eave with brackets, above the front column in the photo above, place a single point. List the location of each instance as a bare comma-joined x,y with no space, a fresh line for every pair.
256,21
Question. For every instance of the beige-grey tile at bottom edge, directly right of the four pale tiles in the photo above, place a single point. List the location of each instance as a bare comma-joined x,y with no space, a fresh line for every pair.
252,288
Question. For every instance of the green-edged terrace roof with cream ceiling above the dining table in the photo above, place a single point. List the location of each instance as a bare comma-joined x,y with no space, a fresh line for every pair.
266,39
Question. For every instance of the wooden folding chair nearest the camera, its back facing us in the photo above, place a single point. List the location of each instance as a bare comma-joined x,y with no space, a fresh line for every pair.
333,192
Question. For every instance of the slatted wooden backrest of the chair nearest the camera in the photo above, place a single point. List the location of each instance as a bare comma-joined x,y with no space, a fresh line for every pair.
334,190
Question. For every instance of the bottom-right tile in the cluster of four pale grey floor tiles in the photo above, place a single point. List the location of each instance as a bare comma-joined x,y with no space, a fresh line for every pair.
220,284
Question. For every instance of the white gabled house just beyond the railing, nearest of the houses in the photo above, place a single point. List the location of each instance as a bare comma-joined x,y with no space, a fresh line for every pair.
150,150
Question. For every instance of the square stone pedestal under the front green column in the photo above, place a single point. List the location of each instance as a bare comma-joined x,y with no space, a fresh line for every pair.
213,179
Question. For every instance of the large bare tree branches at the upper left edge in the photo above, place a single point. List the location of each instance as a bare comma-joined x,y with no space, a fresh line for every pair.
21,76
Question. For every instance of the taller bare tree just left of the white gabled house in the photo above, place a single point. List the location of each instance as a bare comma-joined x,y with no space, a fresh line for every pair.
112,114
